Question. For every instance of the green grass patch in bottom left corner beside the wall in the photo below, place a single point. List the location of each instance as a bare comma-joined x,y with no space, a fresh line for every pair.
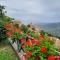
6,52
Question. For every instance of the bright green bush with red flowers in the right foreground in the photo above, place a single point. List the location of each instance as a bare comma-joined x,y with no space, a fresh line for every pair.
36,47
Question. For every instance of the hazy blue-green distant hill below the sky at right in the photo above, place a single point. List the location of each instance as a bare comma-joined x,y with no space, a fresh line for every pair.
52,28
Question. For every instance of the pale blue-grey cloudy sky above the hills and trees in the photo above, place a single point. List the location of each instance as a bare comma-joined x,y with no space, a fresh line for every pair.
35,11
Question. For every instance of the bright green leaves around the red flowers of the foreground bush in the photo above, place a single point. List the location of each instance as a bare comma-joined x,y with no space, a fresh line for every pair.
51,50
